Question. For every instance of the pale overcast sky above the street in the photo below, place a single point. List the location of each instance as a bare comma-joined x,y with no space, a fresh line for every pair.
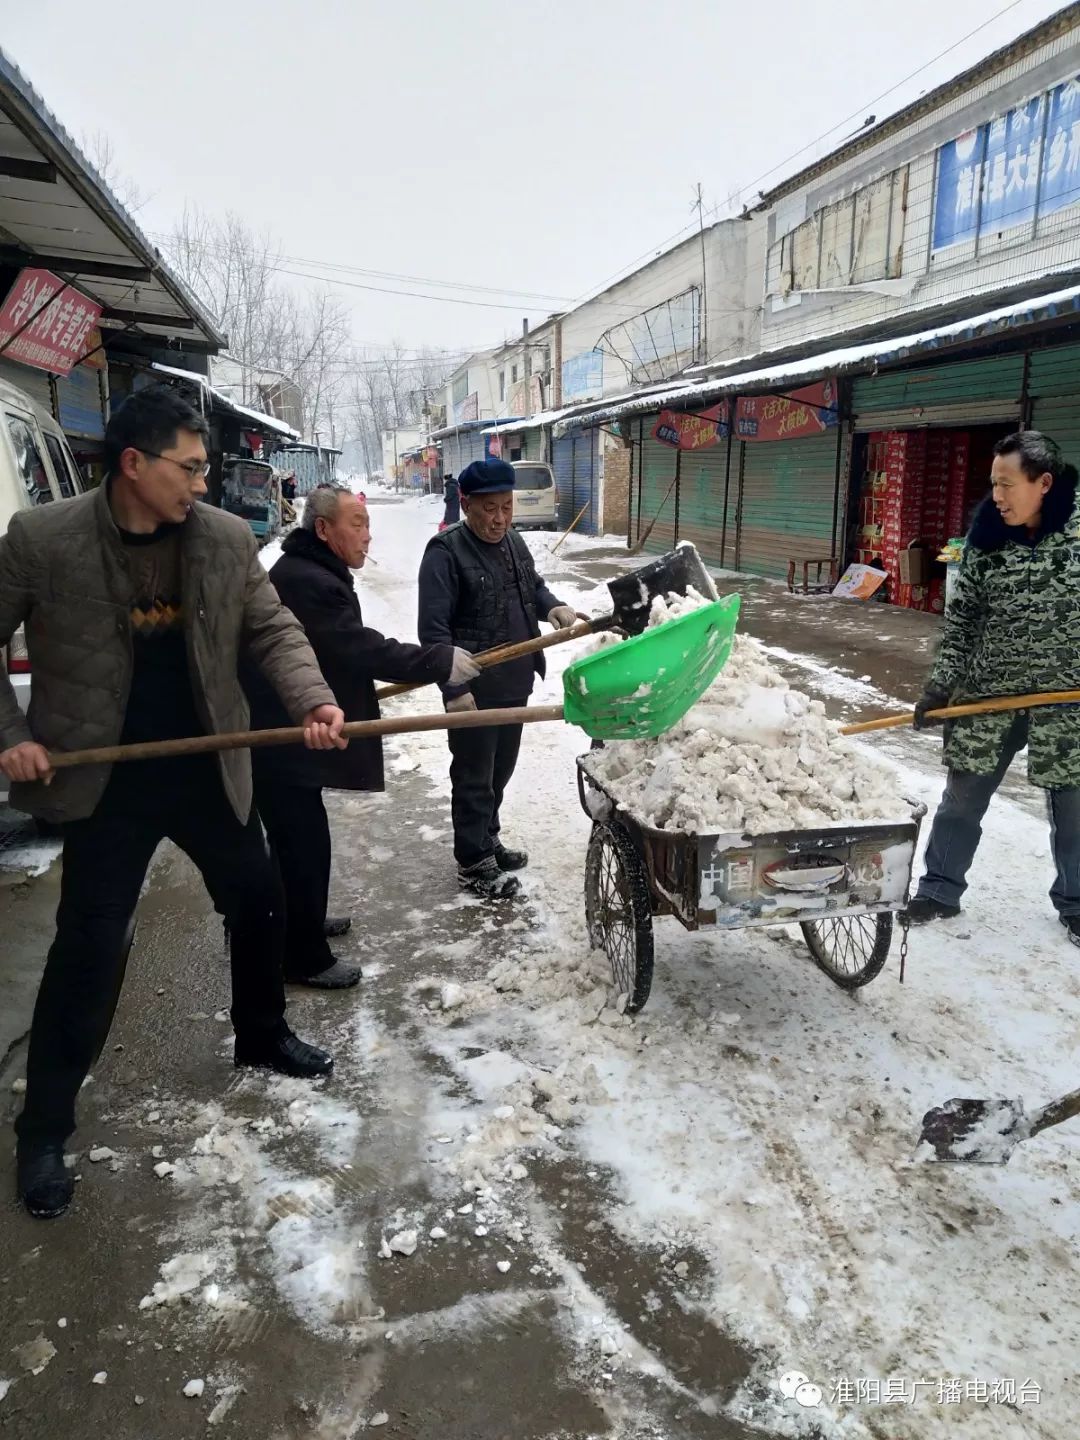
519,145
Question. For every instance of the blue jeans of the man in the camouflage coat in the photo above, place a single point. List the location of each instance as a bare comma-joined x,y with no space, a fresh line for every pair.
958,829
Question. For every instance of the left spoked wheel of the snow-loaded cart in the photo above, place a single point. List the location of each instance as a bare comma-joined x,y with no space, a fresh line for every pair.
618,911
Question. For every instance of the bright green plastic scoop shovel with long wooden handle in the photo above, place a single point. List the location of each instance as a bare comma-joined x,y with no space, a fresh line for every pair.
630,692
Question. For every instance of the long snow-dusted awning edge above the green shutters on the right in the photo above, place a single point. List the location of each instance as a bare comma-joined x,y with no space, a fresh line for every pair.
840,361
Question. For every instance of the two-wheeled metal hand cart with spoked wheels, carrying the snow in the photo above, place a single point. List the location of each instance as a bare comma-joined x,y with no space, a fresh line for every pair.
840,885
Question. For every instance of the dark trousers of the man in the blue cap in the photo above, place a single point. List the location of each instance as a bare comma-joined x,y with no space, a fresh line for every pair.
482,765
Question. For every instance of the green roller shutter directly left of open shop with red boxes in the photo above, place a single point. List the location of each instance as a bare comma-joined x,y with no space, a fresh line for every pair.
788,498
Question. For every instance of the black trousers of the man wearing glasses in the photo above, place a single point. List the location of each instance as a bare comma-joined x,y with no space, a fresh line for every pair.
106,862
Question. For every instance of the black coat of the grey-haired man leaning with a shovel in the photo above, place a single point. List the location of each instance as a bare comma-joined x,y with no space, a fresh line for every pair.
319,590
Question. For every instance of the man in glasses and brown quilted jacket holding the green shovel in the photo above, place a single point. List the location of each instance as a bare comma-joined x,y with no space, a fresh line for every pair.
138,604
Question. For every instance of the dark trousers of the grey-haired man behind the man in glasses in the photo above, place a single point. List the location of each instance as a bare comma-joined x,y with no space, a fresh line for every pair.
299,834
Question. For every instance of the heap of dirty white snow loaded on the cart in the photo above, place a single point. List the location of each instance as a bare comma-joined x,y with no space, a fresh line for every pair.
754,757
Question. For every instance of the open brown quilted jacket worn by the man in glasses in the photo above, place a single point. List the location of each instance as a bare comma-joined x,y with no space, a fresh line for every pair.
64,575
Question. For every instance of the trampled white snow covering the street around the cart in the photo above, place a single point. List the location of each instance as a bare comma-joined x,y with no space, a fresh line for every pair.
754,1127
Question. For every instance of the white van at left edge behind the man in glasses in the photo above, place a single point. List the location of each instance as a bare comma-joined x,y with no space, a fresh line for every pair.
37,466
